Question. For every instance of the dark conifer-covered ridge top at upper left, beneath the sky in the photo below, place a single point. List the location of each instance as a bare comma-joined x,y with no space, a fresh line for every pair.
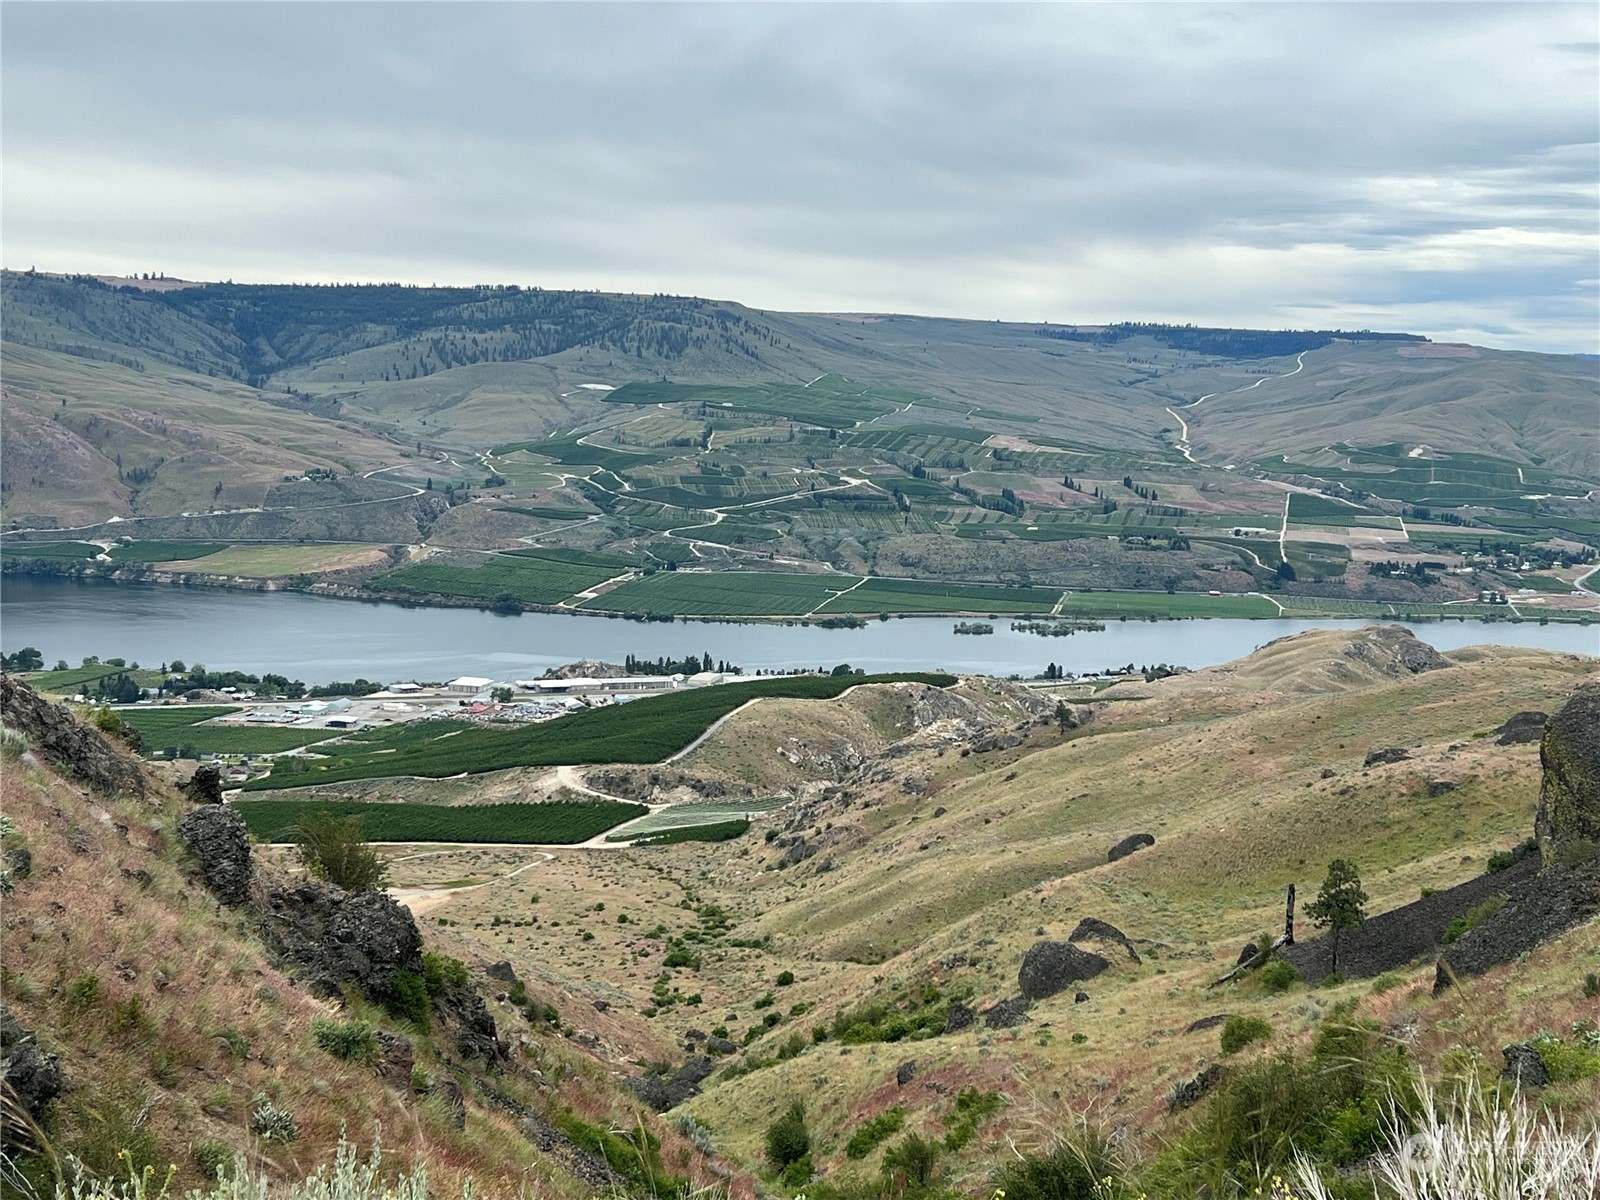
250,330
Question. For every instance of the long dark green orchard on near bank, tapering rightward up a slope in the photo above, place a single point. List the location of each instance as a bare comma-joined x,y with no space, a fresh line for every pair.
641,732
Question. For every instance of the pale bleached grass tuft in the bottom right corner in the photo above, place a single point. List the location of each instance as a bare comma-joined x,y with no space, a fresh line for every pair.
1476,1145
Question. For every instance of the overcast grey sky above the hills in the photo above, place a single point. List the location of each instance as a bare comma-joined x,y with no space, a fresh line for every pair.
1431,169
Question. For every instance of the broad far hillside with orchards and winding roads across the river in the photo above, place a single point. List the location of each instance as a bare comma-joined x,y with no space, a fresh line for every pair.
940,465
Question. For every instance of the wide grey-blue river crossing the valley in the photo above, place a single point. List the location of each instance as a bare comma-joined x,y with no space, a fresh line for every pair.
318,639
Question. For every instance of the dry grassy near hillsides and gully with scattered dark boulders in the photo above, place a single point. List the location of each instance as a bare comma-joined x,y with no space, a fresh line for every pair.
959,921
